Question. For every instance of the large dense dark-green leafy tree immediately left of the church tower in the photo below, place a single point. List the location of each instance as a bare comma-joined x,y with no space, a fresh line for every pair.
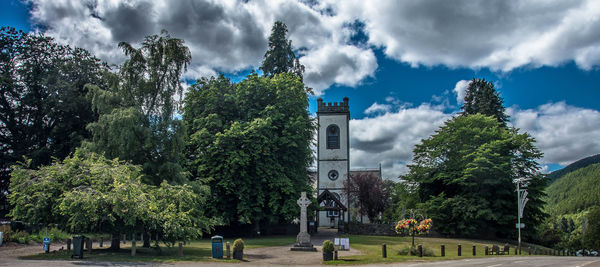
250,142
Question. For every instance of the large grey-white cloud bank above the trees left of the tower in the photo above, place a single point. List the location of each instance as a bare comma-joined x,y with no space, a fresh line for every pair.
223,36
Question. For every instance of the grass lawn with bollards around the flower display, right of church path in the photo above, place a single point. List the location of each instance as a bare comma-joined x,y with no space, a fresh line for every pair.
371,247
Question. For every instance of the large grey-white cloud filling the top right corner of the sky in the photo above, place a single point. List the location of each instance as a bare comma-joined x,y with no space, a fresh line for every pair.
501,35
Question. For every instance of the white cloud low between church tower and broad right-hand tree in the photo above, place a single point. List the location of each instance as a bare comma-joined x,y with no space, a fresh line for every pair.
389,138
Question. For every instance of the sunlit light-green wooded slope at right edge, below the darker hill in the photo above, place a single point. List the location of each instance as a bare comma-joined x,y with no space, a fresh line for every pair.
575,191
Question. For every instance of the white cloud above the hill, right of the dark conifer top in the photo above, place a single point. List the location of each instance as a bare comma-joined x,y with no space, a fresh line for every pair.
564,133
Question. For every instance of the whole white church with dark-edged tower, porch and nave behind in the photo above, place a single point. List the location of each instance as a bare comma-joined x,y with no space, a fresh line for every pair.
333,165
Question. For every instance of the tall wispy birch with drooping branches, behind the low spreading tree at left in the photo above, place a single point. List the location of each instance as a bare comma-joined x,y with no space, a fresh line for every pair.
137,110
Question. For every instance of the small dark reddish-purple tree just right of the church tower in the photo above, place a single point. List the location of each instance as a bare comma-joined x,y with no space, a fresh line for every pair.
370,192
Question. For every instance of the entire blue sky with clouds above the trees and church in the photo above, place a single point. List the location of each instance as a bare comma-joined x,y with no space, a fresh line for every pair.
404,65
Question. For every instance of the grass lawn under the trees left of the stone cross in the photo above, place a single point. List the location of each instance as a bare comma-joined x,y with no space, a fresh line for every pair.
199,250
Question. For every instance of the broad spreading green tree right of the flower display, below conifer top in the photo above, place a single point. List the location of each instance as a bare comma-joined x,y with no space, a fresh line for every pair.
464,174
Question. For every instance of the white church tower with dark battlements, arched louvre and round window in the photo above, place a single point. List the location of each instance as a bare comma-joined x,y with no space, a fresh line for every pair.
333,155
